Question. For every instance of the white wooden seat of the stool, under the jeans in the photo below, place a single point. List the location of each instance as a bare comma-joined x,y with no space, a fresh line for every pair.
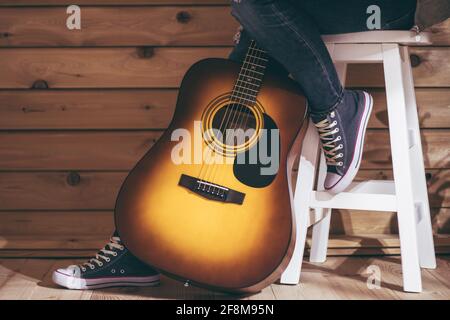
405,37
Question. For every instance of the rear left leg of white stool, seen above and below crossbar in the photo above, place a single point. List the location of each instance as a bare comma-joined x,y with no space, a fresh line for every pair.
321,229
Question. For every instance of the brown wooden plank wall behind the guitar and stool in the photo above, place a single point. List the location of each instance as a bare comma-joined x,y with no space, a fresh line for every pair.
79,108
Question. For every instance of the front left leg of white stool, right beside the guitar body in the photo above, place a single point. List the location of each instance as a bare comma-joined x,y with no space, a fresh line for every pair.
304,187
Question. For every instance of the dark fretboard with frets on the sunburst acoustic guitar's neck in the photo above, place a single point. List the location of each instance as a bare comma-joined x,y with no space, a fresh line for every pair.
250,76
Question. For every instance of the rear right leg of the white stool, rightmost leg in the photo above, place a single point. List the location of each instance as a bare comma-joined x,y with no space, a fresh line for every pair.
427,257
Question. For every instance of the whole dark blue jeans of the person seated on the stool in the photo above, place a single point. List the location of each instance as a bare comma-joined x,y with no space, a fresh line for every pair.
290,31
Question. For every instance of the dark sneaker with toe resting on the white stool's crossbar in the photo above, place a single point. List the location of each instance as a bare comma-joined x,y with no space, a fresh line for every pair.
342,134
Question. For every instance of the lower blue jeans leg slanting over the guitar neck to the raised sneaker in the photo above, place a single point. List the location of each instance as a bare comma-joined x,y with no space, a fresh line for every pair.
291,37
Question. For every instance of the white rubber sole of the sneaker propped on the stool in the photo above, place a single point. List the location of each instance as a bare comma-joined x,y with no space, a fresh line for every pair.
347,179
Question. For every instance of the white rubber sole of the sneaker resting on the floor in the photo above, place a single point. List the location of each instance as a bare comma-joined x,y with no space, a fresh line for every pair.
72,282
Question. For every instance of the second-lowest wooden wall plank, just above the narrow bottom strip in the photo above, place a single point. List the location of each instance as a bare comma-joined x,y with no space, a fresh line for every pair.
78,224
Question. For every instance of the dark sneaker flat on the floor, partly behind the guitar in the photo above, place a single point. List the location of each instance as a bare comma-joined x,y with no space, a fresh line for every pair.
112,266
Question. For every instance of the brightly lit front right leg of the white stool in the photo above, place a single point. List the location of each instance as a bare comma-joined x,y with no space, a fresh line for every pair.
399,136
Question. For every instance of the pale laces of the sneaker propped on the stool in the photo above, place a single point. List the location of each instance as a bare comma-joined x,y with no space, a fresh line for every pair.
329,146
